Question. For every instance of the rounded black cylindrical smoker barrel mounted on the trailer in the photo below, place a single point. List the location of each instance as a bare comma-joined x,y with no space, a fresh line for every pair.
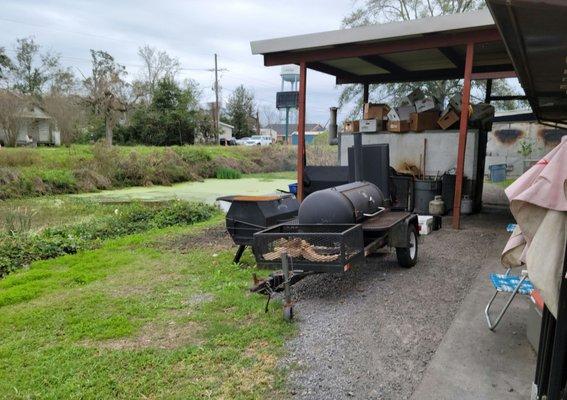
345,204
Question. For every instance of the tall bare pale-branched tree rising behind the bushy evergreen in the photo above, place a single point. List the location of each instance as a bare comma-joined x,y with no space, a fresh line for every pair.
157,65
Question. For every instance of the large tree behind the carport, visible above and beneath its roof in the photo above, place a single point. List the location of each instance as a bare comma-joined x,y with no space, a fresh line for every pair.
381,11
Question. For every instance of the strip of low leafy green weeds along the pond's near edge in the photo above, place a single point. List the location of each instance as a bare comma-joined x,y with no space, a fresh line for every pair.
18,249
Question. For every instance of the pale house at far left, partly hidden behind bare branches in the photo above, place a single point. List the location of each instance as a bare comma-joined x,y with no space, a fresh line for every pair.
36,127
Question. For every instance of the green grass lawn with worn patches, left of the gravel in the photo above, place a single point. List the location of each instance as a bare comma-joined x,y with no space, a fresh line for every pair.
138,318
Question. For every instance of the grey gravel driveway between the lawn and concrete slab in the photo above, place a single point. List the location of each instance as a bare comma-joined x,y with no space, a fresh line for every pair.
370,334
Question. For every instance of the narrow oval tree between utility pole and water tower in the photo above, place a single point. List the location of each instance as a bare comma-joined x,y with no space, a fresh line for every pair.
241,111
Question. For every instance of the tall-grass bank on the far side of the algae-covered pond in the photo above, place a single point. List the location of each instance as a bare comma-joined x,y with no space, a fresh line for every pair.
87,168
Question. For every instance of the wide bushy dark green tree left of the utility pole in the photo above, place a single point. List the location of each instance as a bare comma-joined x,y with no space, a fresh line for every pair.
170,119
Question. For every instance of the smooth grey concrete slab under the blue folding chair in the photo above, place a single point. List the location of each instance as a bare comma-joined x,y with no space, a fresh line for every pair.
473,363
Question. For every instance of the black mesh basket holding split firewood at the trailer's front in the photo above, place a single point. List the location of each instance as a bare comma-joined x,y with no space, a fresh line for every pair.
320,247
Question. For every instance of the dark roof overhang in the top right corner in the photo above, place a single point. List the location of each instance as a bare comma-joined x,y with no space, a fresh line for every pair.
535,34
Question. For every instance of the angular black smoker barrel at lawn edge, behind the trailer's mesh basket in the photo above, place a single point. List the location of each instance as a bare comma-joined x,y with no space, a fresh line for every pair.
250,214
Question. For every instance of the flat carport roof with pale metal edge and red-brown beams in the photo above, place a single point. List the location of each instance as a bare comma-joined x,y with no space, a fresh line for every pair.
423,49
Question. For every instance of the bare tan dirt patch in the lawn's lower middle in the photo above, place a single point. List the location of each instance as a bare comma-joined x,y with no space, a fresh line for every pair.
155,336
